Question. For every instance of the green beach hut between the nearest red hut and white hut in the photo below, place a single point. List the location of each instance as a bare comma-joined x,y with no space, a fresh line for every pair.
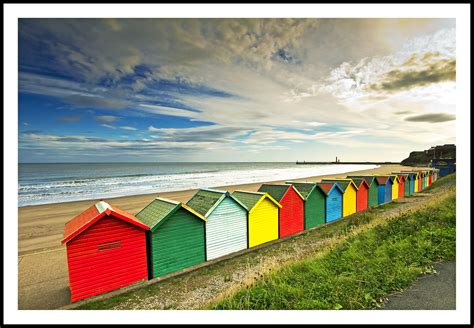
176,239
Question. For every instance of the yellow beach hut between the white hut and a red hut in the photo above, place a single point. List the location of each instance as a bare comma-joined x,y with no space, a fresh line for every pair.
262,215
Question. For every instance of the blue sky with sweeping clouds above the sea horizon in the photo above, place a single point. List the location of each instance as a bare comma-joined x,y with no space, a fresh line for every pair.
155,90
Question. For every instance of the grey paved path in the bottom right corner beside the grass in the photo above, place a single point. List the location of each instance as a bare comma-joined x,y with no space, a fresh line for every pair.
429,292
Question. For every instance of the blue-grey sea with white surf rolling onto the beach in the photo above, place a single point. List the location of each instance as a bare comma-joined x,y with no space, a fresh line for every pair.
64,182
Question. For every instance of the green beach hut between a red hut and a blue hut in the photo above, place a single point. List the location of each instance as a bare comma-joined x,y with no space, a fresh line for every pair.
314,199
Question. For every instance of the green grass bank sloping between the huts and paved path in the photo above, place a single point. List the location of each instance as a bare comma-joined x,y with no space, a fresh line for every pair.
361,271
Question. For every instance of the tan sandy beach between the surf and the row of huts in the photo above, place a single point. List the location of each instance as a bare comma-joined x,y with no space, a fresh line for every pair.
42,264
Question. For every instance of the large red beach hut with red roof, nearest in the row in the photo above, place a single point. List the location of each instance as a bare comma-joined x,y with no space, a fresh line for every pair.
106,250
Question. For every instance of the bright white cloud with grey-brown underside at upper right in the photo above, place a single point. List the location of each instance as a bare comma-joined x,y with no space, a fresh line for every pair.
420,62
